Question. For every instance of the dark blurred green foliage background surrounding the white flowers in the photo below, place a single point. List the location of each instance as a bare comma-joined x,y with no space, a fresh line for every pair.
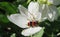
8,29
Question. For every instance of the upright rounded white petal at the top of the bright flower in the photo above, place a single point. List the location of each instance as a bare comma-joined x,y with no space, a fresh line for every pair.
33,7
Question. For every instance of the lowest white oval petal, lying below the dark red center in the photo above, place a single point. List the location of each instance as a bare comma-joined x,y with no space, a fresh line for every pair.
30,31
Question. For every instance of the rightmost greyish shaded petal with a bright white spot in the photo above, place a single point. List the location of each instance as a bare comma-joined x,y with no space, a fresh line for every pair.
52,13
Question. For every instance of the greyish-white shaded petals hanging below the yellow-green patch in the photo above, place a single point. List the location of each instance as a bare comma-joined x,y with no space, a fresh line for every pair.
50,12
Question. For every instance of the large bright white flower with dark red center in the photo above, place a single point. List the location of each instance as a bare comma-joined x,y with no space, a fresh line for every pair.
27,19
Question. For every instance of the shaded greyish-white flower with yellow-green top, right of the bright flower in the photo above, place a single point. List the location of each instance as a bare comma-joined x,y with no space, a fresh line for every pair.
48,10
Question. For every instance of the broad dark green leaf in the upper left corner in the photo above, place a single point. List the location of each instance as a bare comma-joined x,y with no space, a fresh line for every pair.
8,7
